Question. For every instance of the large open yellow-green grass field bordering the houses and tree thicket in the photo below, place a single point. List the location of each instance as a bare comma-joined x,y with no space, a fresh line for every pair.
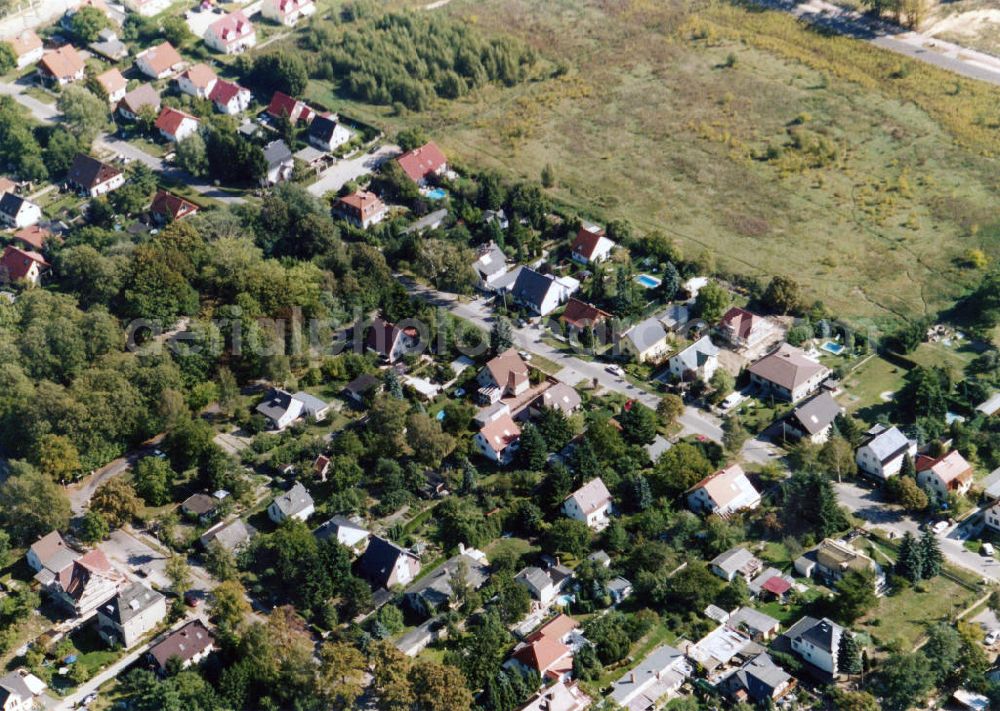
864,175
